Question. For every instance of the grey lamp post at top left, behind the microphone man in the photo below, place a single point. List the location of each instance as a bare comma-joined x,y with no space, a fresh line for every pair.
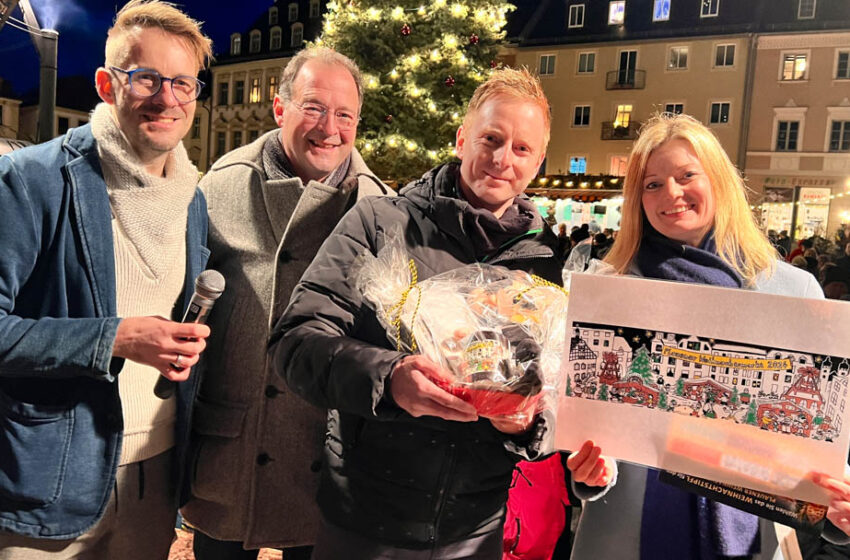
46,42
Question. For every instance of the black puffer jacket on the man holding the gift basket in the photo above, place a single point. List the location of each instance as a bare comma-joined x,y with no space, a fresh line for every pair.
413,482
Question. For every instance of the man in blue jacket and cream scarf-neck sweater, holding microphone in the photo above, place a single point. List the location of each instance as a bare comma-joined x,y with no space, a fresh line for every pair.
102,233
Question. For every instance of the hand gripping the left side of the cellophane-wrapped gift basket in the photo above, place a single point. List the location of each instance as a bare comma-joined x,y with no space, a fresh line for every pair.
413,388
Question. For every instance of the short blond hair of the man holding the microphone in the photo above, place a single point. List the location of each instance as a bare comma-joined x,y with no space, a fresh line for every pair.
142,14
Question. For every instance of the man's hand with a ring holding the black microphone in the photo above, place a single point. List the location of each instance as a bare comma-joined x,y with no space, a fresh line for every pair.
172,348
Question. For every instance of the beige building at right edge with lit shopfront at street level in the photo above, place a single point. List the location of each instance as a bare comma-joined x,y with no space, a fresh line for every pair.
798,153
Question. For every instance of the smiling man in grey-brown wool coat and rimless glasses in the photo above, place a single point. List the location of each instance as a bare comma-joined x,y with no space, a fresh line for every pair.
257,447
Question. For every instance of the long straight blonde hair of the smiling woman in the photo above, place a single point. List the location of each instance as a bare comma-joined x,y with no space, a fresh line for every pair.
740,243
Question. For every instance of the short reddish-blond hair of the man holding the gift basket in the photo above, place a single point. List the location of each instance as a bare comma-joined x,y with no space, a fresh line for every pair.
512,82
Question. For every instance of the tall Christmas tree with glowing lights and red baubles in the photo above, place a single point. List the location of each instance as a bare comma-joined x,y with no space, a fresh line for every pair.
421,61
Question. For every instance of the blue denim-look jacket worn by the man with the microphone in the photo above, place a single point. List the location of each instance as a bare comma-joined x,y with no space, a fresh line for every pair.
60,413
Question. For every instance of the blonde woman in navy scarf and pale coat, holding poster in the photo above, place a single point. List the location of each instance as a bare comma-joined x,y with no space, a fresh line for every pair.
686,218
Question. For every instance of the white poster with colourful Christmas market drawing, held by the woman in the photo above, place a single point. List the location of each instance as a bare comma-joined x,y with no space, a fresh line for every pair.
729,385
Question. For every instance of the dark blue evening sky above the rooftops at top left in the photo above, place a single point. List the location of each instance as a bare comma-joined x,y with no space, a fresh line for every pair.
82,26
